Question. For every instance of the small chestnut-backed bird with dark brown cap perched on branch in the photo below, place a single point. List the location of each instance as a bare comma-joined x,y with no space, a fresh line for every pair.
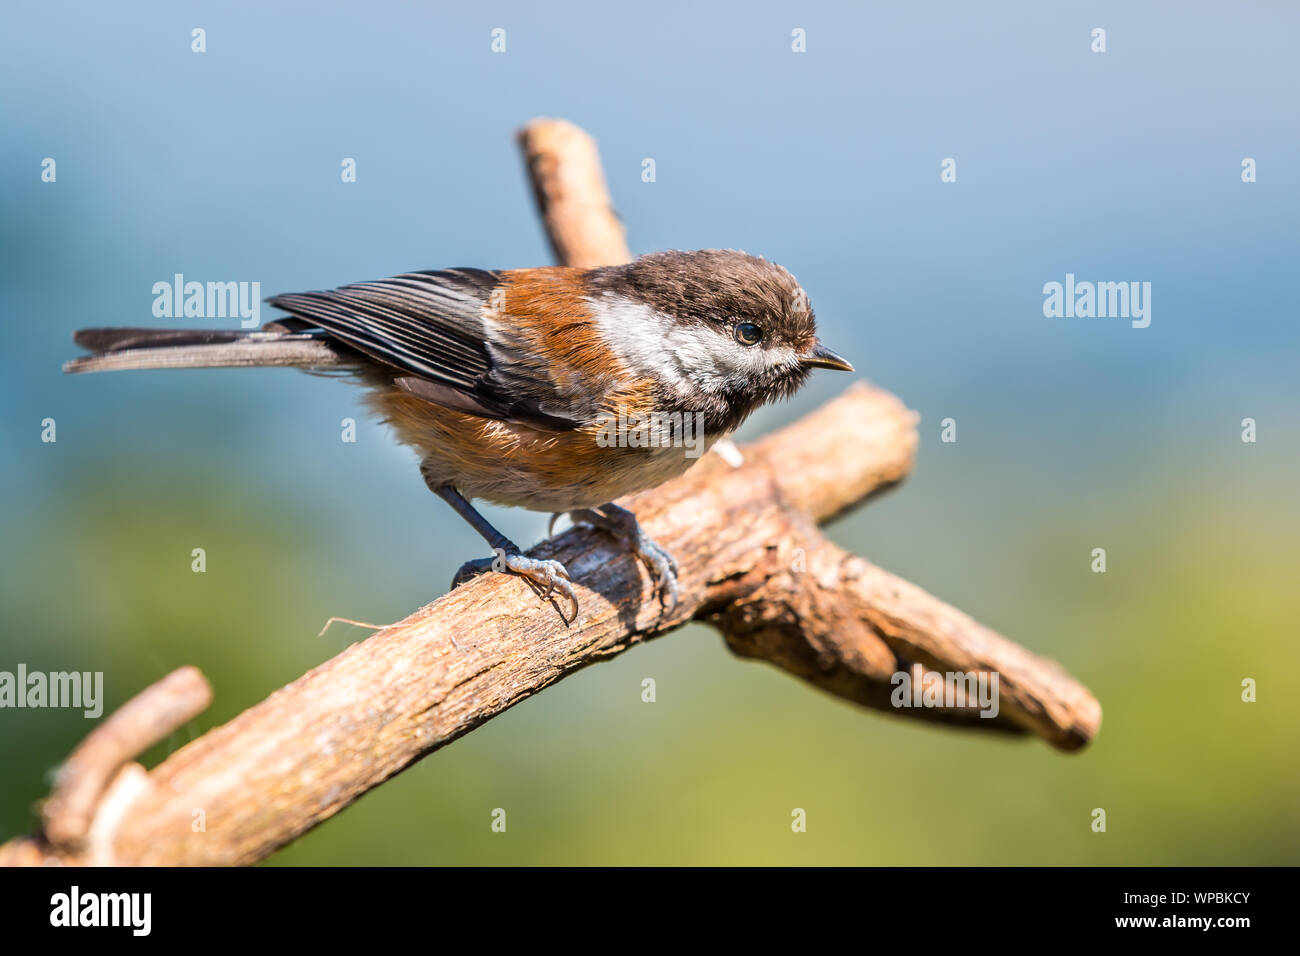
554,390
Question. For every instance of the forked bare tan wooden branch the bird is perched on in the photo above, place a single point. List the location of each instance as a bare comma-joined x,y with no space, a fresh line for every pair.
743,526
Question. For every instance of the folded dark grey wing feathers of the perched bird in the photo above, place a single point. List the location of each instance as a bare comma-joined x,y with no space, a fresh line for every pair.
428,326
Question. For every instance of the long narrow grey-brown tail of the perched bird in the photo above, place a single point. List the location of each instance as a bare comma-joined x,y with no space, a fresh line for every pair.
125,349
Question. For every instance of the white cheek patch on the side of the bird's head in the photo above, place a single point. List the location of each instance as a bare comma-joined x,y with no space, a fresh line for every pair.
683,357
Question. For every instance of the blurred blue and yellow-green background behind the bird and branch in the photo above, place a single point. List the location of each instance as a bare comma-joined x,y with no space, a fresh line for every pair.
1073,434
